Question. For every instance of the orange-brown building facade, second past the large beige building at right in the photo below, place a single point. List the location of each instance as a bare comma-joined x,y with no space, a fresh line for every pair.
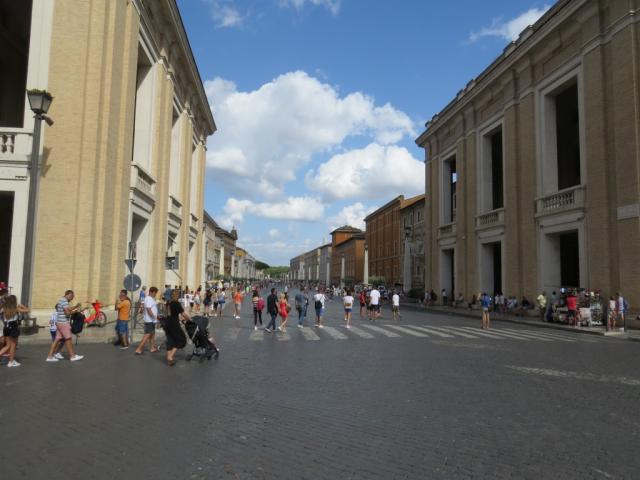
384,242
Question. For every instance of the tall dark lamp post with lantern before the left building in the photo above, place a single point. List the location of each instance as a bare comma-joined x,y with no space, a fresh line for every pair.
39,101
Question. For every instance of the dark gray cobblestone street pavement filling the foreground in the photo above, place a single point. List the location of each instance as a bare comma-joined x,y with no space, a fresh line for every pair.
429,397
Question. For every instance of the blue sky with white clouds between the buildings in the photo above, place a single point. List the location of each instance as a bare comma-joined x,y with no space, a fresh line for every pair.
318,104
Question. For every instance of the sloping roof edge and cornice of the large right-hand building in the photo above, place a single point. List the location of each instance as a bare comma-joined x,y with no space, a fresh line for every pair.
512,52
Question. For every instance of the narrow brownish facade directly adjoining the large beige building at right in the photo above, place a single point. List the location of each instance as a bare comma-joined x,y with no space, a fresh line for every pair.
412,221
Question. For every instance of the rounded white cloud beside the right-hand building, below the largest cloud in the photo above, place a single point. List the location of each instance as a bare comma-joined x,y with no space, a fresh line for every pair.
375,172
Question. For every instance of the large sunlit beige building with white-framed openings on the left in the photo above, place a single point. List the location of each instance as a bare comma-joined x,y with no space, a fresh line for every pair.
124,161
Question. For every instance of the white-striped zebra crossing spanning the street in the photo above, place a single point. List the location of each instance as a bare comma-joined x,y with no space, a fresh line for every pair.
368,331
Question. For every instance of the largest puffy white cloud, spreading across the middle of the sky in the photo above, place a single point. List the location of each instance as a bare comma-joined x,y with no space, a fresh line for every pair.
266,135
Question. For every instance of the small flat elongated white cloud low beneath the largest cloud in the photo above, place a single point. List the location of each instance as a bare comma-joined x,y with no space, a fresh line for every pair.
303,209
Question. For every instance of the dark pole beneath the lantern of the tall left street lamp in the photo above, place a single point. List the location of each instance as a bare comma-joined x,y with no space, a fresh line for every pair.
29,244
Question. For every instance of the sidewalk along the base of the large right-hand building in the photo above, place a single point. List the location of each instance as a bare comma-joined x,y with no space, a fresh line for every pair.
526,320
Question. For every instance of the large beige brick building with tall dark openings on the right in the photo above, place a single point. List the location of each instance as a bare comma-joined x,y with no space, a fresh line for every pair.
532,171
